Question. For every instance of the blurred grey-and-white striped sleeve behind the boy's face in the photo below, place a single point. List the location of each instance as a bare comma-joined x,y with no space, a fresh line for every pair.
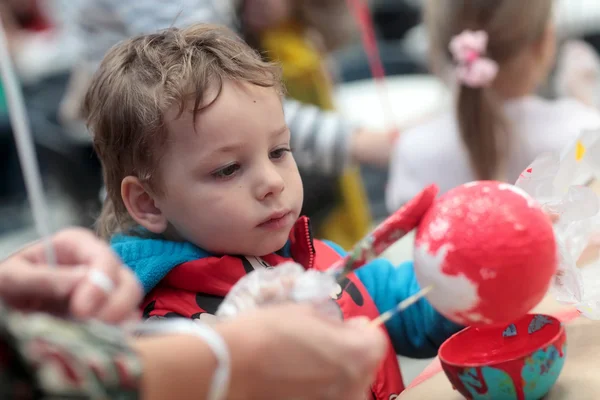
320,139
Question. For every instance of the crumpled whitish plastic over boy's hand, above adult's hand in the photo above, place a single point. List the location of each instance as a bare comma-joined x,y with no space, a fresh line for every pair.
289,282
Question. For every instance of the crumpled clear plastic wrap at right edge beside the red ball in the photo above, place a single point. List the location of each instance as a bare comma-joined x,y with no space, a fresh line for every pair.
557,182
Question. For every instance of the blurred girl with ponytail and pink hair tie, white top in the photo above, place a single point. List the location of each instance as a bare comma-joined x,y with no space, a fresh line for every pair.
494,54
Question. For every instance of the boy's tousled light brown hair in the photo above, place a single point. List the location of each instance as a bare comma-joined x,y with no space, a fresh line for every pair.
138,81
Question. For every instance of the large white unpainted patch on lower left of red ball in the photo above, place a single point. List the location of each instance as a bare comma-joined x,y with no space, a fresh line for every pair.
452,294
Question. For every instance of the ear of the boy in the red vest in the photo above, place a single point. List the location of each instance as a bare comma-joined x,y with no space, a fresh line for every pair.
141,206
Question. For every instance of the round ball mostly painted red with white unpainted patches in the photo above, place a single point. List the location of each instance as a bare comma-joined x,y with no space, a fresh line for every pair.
489,251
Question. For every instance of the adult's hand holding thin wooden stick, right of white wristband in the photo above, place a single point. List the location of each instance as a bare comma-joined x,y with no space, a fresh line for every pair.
292,352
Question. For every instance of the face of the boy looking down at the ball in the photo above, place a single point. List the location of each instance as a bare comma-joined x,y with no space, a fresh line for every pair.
232,186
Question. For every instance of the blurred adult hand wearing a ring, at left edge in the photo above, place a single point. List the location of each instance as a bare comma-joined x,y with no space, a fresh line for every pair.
89,281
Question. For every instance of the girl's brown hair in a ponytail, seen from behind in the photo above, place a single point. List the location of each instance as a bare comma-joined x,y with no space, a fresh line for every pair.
511,25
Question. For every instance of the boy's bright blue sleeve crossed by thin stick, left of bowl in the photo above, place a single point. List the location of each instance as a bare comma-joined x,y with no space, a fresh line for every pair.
417,331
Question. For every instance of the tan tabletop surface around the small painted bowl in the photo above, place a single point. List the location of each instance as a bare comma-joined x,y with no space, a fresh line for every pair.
578,380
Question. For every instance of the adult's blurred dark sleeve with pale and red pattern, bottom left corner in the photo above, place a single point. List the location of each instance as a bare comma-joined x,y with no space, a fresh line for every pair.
44,357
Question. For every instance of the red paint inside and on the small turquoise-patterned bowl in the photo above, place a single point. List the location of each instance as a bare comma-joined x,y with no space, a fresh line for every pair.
475,348
